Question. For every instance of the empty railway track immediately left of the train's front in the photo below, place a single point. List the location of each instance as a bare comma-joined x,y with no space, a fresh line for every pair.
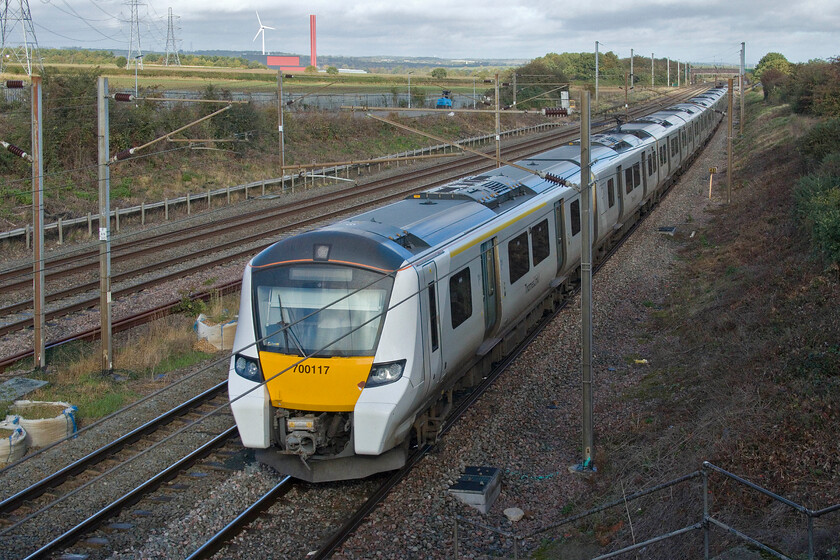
101,481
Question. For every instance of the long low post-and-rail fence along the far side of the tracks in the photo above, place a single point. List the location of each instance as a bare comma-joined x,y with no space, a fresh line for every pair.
58,227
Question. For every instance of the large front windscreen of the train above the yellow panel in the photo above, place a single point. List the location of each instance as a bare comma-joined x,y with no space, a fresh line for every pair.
319,310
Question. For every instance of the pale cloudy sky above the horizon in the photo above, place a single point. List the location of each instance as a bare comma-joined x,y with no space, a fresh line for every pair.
693,31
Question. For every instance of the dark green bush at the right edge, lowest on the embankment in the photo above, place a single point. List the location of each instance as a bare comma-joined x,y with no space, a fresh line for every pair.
818,207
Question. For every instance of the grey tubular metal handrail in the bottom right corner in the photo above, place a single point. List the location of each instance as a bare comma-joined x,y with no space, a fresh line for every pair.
705,524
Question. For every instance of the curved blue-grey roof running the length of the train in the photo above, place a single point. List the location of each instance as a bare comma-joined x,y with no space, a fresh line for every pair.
392,234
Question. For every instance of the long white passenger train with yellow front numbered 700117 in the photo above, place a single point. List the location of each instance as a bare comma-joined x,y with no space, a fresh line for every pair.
352,337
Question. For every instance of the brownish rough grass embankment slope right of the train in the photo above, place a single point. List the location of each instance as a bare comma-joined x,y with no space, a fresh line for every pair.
747,366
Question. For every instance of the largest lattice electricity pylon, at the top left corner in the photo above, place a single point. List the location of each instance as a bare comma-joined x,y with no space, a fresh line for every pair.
17,37
